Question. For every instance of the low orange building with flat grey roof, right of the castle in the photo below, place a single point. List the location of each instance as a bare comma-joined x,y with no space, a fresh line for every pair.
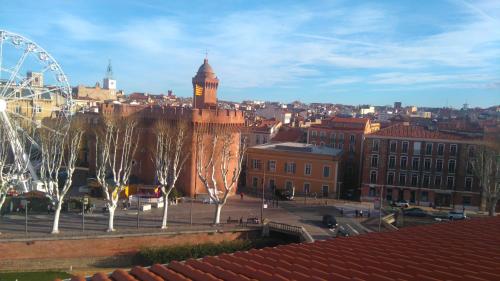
304,168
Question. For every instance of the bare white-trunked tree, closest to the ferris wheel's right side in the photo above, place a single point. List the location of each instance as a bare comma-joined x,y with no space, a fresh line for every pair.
59,149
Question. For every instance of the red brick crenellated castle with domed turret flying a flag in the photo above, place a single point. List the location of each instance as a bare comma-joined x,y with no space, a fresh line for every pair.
203,117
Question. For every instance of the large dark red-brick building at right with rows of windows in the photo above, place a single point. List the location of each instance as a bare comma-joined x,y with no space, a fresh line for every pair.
425,167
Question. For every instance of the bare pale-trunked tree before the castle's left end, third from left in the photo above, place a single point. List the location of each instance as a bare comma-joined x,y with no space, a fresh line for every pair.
116,145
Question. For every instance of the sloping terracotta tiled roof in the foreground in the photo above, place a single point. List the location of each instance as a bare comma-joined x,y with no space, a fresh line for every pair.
460,250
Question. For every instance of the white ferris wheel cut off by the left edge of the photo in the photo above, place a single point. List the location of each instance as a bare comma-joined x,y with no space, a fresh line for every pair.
33,90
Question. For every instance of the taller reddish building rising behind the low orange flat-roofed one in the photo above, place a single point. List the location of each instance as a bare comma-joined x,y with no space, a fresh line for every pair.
348,135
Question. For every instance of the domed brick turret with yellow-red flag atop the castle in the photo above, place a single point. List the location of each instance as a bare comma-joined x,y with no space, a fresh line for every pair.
205,85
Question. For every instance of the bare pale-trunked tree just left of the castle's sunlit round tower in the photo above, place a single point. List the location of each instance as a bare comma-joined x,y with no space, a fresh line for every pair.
170,155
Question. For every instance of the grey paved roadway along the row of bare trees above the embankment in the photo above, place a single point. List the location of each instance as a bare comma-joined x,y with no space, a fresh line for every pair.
291,212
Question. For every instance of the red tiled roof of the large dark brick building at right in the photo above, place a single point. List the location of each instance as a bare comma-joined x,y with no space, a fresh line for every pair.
414,131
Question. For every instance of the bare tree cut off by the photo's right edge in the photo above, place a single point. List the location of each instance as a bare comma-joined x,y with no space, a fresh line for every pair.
486,169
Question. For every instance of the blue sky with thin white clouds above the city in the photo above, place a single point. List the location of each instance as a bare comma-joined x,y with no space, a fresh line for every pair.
425,53
